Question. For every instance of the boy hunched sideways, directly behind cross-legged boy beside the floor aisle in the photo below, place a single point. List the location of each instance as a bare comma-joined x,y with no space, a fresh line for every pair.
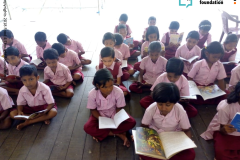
70,59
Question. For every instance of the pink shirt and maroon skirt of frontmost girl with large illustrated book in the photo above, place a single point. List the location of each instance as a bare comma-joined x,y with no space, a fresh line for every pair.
176,120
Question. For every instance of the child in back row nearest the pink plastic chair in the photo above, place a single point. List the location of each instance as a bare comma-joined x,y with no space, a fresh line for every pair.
204,35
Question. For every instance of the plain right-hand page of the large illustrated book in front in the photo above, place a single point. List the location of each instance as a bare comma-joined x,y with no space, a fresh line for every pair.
174,142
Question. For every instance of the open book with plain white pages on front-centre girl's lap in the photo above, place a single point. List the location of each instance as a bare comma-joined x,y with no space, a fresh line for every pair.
119,117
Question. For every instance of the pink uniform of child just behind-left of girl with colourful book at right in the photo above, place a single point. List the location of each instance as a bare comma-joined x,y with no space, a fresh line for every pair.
184,52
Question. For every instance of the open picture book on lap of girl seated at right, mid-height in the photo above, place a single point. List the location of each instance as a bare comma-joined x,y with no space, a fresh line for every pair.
207,92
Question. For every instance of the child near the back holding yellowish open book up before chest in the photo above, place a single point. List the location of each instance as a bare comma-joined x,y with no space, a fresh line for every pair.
170,47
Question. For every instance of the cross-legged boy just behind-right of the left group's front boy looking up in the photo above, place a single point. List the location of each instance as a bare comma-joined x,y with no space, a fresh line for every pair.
56,75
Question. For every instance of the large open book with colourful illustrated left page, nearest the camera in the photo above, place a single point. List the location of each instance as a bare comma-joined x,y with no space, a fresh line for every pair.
161,146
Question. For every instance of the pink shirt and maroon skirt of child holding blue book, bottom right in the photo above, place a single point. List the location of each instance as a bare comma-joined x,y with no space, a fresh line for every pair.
226,145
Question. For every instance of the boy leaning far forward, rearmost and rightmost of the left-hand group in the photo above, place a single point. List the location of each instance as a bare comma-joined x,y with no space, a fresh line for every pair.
75,46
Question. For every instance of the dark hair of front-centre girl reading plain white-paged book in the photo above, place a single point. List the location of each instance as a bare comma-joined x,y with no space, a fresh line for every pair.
101,77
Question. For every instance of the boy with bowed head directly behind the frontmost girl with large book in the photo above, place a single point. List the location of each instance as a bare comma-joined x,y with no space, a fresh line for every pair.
173,74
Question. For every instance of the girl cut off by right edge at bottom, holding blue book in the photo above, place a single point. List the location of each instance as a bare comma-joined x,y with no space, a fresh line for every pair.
226,137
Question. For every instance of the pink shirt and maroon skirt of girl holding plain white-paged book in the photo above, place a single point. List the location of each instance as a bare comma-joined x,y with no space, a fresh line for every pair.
106,108
